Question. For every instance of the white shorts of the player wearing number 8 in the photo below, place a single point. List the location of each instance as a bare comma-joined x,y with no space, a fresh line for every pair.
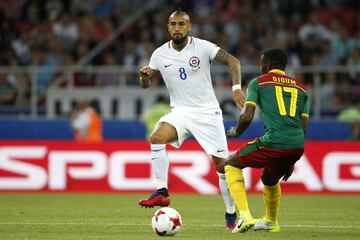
206,127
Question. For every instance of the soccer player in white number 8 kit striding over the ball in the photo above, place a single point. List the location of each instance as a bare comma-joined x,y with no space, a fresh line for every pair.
184,63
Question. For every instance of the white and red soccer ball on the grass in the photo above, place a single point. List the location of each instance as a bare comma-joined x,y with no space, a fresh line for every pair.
166,222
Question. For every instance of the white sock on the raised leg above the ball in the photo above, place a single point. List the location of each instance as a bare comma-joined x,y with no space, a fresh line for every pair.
160,164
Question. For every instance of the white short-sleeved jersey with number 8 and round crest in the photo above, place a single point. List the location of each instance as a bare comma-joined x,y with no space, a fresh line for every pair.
187,73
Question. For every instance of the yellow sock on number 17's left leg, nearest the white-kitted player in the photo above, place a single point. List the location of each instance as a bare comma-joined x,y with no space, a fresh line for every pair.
235,182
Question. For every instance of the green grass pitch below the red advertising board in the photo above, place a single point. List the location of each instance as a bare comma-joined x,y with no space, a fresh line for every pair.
117,216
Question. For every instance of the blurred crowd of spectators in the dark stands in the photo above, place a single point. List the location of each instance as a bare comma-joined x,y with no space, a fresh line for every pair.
56,33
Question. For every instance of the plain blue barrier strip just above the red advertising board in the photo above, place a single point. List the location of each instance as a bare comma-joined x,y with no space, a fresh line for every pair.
115,130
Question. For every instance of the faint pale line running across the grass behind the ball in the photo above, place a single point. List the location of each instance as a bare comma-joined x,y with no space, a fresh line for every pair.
143,224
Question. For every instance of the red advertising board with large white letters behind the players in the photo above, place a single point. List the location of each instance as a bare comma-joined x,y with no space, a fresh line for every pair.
124,166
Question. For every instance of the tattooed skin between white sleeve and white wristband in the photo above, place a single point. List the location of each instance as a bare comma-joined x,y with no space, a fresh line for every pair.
234,64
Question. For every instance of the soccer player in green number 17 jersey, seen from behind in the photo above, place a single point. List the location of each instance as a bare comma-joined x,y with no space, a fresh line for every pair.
285,109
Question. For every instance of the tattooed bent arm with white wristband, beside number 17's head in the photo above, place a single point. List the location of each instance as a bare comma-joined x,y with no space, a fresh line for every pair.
235,71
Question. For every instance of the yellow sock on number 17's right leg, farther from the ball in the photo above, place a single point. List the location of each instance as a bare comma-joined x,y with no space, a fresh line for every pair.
272,196
